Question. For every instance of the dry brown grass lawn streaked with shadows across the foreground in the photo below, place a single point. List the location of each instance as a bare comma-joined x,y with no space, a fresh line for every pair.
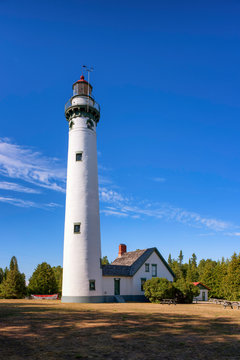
52,332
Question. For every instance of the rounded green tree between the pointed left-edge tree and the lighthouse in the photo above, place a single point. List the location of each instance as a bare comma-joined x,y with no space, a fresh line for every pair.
43,281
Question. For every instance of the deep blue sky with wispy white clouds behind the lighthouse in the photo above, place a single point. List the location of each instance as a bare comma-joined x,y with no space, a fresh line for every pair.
168,82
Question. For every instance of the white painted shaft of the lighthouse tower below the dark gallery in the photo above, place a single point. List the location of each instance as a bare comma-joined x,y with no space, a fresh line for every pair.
82,252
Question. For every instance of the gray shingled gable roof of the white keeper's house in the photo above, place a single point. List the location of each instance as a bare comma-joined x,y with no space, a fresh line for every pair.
129,263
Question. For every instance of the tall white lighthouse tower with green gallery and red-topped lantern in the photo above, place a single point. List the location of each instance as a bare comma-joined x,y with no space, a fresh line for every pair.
82,273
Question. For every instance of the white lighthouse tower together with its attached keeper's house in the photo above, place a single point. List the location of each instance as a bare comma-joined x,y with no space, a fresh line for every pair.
84,277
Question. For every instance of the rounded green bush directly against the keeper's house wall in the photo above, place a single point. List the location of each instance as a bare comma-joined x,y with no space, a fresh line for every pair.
157,289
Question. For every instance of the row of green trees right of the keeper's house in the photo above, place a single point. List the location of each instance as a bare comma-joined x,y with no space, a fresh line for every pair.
222,276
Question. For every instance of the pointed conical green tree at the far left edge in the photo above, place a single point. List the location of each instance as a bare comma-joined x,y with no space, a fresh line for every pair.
13,285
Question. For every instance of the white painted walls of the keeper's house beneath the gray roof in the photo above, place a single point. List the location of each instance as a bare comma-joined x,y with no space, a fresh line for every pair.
132,285
